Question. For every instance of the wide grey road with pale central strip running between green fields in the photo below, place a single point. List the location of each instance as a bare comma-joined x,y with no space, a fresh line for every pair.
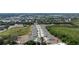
39,31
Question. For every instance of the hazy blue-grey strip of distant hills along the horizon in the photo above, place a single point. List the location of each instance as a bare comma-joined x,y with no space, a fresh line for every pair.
55,14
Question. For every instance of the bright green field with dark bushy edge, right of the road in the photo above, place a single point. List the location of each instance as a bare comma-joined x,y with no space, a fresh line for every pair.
67,34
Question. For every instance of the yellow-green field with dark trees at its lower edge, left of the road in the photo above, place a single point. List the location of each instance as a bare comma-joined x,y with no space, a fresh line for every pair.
10,35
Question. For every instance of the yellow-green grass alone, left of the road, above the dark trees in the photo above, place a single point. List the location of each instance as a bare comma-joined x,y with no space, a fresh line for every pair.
18,31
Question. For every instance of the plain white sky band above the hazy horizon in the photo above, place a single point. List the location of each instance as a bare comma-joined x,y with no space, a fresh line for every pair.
39,6
